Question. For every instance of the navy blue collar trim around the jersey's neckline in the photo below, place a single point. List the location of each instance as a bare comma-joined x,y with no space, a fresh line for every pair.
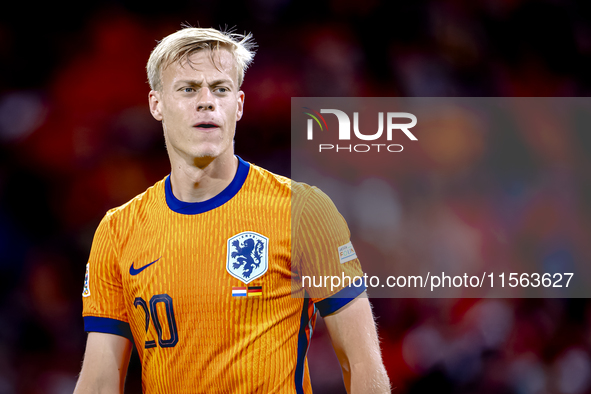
193,208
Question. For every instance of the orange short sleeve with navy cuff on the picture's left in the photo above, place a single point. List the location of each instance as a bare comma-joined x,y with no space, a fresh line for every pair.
103,299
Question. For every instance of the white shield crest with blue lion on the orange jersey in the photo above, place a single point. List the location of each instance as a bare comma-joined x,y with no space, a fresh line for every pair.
247,256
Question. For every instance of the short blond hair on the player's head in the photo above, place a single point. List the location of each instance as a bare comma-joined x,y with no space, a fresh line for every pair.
185,42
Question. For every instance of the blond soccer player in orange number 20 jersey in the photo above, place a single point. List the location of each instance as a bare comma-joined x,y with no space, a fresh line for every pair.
203,271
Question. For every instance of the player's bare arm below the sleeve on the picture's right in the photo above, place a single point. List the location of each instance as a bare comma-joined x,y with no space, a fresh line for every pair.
354,338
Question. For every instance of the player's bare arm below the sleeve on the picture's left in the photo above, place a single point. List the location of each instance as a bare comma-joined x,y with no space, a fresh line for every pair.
105,364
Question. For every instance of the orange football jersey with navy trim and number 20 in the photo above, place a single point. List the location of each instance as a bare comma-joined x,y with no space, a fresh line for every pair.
211,292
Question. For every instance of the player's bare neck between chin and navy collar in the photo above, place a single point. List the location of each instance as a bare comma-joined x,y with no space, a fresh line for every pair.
192,183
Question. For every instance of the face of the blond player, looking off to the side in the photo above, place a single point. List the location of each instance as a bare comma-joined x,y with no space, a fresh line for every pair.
199,105
